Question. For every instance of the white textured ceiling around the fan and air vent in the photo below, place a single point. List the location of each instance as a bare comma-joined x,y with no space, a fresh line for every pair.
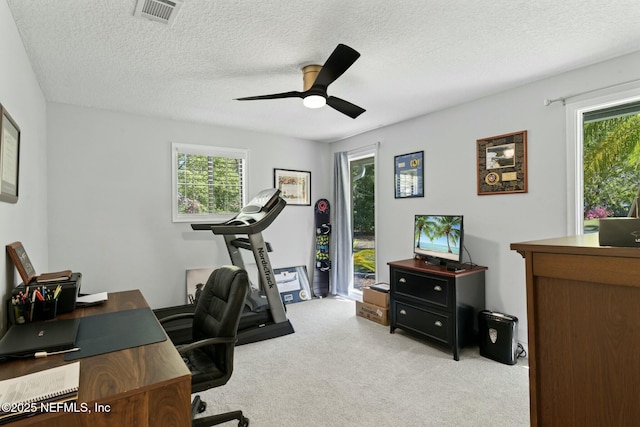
418,56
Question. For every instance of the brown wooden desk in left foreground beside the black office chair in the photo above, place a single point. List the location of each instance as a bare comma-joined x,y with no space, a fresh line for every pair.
143,386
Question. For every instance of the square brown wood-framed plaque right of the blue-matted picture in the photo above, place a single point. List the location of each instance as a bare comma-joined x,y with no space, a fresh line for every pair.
502,164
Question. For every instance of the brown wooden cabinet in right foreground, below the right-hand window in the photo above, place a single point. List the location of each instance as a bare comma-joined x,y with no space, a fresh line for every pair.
584,330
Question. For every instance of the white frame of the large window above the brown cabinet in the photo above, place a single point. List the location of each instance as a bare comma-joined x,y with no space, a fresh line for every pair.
575,143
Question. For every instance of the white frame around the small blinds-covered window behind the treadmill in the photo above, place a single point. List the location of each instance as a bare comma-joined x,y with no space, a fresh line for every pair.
204,150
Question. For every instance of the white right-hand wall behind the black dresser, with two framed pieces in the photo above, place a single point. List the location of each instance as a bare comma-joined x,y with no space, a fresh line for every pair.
491,222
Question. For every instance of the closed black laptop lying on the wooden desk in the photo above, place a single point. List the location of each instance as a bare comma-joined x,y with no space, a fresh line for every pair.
25,340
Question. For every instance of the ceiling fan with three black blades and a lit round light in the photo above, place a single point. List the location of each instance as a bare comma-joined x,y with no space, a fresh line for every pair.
316,79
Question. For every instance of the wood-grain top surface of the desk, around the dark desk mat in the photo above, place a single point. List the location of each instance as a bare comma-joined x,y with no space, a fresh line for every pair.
108,376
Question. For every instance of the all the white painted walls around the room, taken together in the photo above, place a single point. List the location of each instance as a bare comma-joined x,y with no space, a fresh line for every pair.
108,184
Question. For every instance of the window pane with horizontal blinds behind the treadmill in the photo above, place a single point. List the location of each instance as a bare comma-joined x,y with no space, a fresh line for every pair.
208,182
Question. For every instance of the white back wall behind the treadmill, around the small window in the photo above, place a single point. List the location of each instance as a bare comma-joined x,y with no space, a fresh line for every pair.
110,200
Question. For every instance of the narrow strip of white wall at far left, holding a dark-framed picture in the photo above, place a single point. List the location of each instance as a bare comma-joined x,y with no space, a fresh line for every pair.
26,220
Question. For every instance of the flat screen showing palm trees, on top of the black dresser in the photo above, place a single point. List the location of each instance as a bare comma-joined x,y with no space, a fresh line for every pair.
438,238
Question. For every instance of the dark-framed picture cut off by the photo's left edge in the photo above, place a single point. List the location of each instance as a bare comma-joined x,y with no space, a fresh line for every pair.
9,157
